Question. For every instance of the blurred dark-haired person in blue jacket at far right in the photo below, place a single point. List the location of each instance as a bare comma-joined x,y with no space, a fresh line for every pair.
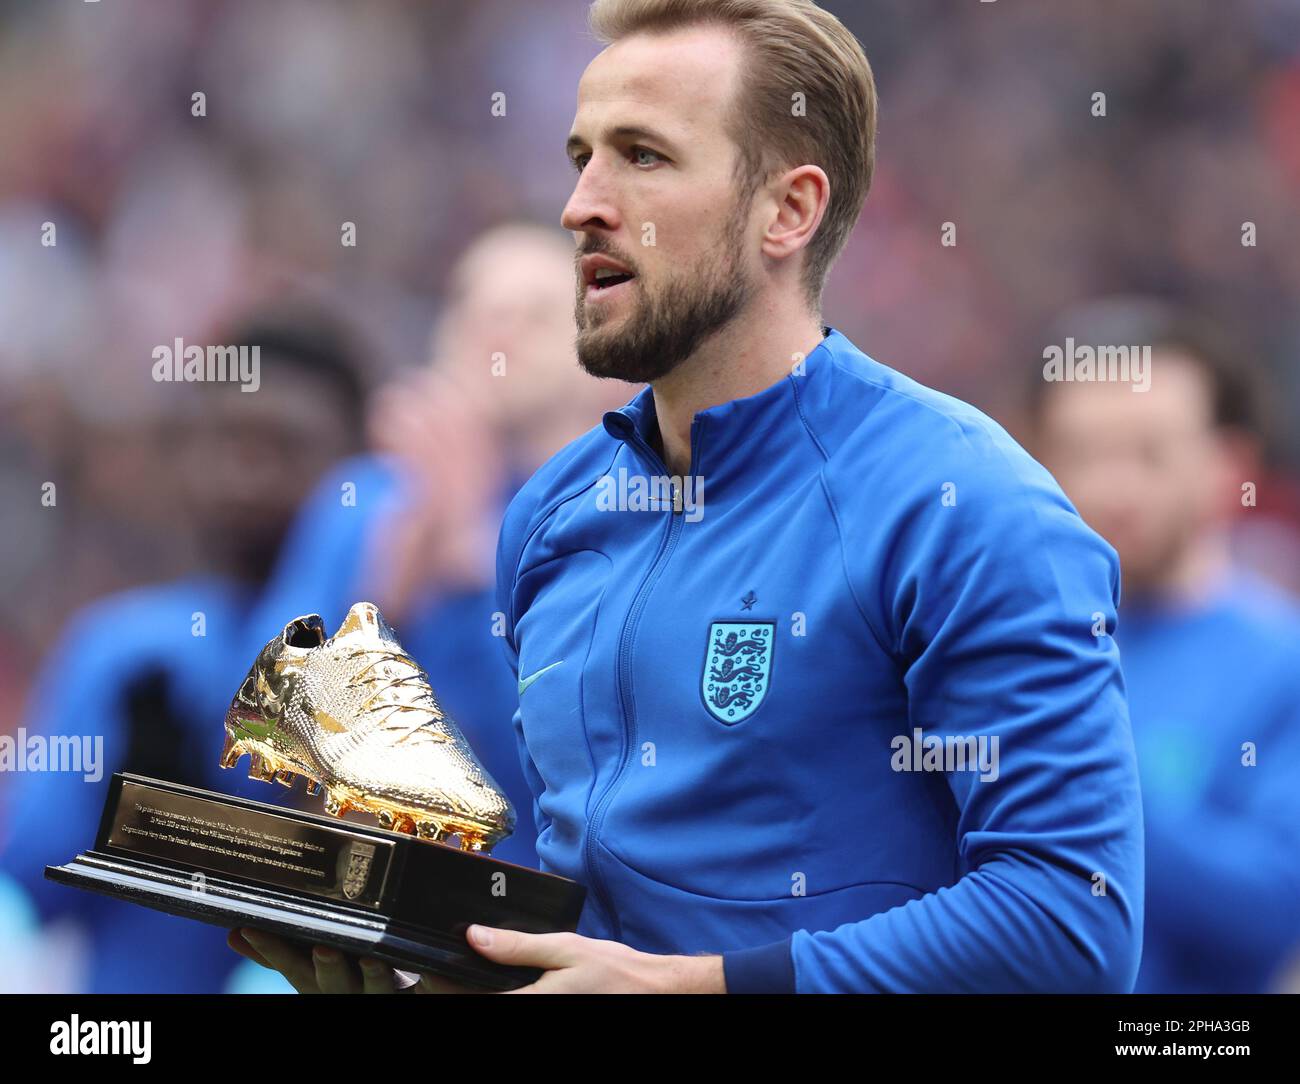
1211,651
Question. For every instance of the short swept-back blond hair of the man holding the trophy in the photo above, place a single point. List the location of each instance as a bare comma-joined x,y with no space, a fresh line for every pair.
795,47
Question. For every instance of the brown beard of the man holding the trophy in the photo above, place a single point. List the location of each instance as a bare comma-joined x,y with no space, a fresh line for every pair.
669,327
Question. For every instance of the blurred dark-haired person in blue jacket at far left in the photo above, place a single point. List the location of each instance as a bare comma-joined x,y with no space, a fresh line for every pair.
144,678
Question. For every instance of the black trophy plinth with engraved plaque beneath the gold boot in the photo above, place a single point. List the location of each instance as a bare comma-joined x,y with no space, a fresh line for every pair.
315,881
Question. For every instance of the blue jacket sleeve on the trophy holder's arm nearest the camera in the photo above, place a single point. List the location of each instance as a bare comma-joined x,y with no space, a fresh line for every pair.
999,606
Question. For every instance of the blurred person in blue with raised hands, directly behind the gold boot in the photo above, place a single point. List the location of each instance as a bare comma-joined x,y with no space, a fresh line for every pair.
413,527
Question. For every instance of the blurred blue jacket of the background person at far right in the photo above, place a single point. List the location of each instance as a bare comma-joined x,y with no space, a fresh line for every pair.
1215,696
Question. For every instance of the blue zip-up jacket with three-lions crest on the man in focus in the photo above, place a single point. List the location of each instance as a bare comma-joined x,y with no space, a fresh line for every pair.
731,704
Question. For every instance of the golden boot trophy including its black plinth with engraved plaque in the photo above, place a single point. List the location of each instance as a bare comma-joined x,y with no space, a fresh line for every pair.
354,716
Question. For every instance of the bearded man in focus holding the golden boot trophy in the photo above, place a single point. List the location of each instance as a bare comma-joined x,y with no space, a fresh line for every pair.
749,700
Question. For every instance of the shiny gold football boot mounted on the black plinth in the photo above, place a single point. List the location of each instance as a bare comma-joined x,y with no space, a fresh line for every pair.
356,714
